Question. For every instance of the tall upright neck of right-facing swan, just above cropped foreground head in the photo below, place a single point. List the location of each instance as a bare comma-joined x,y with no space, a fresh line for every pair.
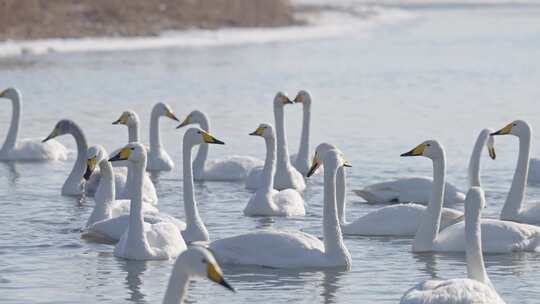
195,225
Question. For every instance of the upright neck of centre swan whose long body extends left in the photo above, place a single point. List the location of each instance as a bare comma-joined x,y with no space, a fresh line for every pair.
333,239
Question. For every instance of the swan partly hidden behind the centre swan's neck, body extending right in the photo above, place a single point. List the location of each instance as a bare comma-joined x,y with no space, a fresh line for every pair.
399,219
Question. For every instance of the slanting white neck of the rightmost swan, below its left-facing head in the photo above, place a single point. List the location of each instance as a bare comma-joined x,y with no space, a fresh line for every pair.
514,201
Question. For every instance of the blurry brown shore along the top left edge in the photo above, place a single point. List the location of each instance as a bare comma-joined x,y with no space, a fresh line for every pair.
39,19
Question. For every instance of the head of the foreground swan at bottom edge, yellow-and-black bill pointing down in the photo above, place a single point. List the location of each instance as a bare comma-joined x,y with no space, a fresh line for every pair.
200,262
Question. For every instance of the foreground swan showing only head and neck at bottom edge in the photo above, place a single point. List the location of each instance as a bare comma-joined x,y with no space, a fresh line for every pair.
194,262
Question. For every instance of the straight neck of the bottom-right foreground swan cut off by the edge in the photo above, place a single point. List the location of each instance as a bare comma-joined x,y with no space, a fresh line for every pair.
473,250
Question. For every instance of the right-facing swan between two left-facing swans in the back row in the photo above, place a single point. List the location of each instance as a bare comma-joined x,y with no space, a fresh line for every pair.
158,158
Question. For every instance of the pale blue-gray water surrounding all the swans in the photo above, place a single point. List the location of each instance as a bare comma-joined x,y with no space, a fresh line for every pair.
445,74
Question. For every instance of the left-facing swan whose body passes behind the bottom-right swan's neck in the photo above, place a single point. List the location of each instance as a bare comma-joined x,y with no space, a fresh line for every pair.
497,236
